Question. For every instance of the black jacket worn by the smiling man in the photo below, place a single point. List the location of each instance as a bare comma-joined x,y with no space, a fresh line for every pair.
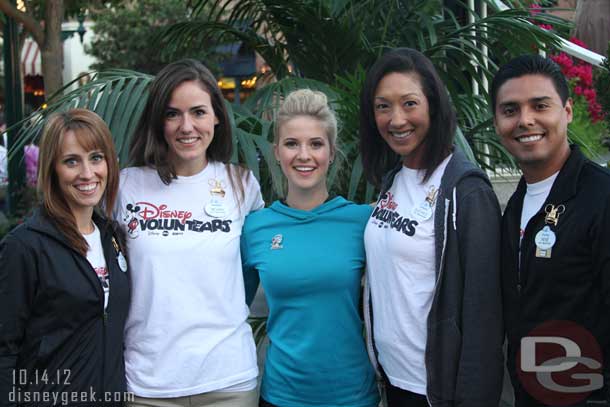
574,283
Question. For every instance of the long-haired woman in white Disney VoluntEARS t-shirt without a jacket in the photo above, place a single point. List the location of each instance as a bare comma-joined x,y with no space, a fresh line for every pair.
182,205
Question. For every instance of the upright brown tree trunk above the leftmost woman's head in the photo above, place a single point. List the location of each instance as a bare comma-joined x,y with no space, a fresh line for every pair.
52,47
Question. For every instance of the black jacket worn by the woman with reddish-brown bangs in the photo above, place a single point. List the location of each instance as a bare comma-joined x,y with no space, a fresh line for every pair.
57,345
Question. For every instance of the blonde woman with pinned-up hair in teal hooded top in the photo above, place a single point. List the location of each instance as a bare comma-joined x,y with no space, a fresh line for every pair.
308,252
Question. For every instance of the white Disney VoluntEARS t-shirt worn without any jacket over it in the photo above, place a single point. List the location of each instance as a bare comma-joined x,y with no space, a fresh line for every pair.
186,332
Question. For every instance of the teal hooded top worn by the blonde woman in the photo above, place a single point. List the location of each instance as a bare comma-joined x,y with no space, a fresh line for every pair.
310,264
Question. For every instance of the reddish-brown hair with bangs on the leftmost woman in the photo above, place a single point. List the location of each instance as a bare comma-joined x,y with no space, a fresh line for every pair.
92,134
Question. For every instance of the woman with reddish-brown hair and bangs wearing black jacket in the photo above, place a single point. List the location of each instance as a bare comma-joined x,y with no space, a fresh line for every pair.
63,276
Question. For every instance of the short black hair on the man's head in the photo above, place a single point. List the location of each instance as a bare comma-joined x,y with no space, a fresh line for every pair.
529,64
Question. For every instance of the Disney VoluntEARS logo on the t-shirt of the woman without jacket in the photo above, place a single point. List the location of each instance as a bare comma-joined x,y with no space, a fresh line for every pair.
160,219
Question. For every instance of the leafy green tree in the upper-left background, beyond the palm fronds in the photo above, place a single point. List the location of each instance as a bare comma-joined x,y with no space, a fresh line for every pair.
126,36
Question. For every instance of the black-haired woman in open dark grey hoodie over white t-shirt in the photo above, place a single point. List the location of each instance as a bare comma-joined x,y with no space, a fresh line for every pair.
432,295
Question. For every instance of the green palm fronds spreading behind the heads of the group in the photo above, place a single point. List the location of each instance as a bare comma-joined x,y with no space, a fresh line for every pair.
326,45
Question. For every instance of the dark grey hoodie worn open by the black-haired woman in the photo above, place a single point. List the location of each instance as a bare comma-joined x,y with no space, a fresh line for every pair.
464,360
